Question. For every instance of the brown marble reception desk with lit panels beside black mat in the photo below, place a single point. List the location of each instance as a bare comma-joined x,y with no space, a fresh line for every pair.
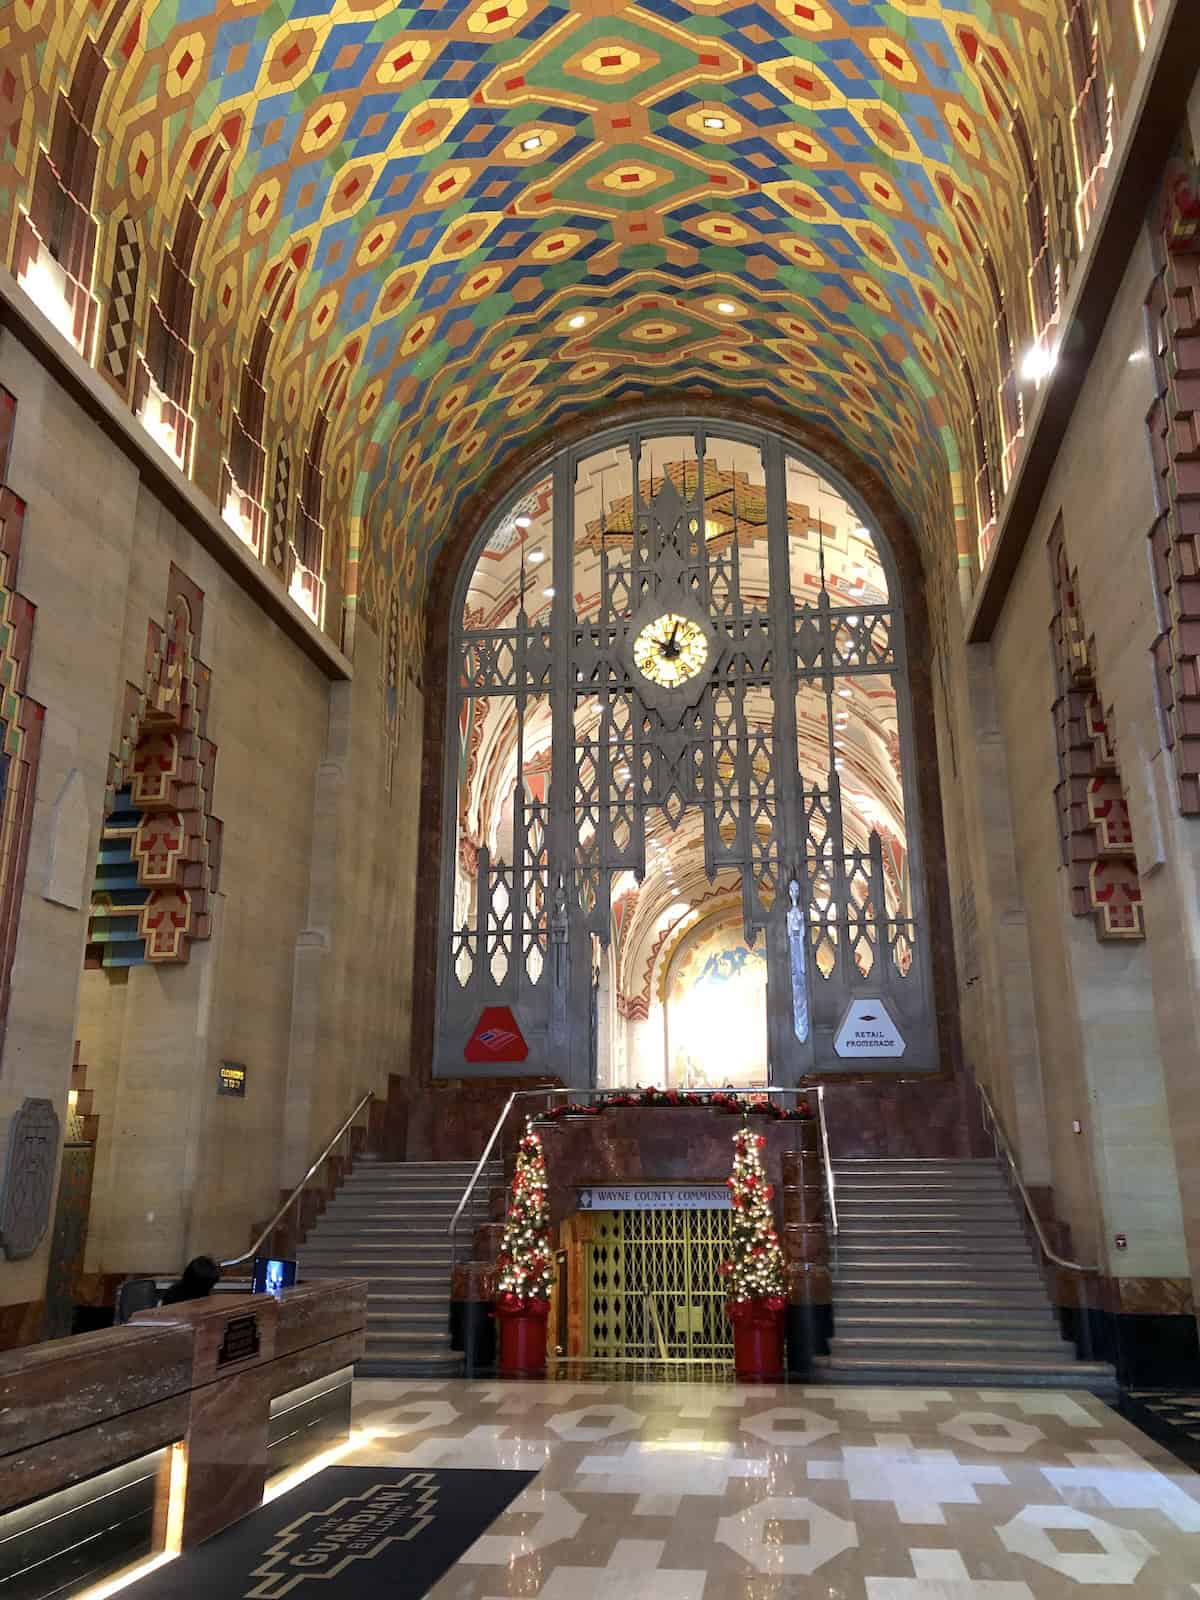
153,1438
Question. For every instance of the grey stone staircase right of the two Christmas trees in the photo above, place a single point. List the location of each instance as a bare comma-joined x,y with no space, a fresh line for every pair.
935,1282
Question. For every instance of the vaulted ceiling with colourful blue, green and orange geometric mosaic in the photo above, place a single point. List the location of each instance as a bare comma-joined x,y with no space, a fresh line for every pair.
468,220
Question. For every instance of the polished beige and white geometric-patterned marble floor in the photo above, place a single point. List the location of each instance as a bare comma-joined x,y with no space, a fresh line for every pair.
673,1492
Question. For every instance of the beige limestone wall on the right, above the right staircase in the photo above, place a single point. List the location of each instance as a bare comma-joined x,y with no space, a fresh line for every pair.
1113,1023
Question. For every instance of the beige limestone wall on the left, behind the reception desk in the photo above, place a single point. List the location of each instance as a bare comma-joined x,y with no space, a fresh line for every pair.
306,978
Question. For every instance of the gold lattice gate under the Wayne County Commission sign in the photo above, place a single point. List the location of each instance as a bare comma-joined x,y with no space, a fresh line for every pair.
654,1287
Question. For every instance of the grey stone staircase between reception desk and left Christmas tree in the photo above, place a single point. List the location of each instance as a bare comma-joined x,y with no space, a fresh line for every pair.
391,1226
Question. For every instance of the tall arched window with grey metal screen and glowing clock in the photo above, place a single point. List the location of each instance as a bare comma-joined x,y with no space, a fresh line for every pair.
679,698
